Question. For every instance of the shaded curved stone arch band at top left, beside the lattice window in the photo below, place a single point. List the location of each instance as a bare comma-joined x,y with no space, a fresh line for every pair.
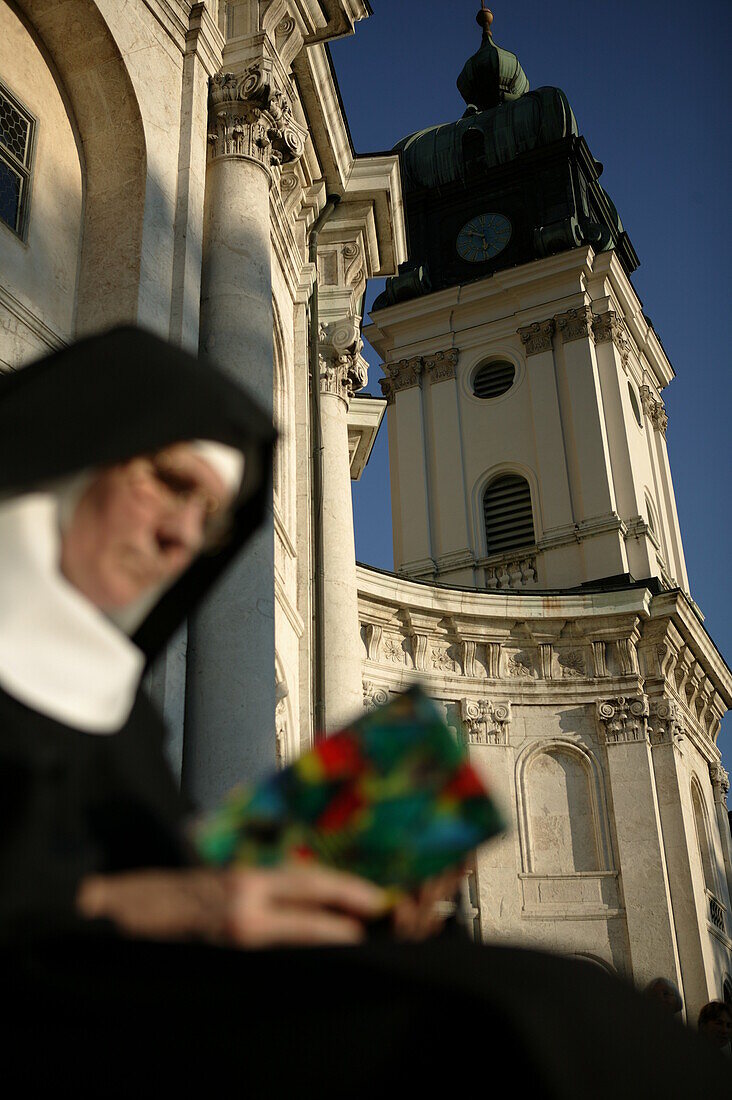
82,49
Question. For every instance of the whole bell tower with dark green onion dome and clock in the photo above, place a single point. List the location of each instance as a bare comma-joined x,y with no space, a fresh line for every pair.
525,383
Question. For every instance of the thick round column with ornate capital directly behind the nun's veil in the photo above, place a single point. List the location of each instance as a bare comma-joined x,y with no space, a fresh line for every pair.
231,690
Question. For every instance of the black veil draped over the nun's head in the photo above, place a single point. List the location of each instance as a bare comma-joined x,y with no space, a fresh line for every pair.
125,393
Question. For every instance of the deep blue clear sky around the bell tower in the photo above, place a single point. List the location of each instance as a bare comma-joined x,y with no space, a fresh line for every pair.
650,84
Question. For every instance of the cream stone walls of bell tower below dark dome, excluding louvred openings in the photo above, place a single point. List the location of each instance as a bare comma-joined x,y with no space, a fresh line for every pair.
594,458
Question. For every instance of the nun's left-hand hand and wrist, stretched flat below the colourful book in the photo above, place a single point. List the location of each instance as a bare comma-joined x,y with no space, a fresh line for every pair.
249,908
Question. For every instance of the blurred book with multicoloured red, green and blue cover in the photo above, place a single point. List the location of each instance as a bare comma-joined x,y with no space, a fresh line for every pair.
392,799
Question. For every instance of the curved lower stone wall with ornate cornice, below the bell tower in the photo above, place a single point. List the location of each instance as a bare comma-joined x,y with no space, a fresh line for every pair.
589,717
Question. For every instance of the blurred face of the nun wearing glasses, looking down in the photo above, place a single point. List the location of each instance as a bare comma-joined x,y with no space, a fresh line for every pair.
140,525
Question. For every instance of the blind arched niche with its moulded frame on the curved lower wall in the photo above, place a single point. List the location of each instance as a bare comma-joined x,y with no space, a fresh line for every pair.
563,815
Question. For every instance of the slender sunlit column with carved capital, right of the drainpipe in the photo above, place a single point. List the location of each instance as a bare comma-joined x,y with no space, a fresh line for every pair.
343,372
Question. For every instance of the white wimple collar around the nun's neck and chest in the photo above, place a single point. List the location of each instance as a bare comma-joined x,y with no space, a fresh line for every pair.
59,654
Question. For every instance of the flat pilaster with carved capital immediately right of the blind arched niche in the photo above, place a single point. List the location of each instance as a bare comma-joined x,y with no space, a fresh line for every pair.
641,851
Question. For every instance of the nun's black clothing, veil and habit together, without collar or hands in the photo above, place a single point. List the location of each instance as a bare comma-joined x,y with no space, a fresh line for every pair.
344,1022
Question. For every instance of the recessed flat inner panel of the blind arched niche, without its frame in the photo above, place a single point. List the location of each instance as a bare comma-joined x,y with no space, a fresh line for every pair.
563,830
